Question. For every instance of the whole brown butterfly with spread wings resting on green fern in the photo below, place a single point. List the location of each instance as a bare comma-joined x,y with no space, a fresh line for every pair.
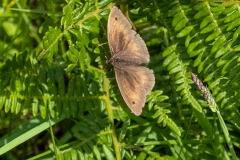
128,52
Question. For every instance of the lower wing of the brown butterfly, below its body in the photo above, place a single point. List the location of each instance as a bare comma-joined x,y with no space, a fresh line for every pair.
135,83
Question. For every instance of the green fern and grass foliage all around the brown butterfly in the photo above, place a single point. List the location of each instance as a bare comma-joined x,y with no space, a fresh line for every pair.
59,100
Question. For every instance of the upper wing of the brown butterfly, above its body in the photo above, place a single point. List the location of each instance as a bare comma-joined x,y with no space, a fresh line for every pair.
123,41
